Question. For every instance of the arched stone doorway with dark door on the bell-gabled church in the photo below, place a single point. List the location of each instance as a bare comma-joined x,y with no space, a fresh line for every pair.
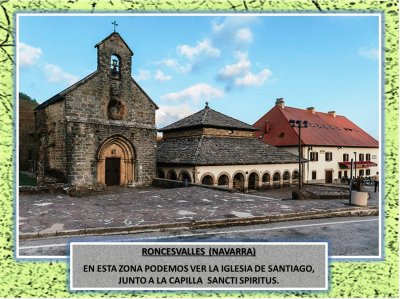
116,157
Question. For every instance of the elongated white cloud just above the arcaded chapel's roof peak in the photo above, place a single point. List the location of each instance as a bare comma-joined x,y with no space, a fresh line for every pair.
196,93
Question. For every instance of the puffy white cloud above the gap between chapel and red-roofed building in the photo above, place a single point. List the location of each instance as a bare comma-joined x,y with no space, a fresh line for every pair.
240,74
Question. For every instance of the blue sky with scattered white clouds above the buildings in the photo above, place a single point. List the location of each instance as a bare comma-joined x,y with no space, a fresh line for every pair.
240,64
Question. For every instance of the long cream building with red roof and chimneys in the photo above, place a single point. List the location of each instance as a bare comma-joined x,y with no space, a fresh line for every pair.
329,142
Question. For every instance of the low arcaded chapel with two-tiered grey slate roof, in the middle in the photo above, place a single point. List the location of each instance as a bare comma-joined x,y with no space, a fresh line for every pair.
211,148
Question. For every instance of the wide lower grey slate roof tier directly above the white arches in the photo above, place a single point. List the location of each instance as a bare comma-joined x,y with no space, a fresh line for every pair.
212,150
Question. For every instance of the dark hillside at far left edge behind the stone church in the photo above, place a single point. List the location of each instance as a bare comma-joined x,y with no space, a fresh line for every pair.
27,152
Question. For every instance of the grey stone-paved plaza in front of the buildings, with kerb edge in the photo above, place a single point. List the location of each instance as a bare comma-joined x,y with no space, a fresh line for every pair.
129,210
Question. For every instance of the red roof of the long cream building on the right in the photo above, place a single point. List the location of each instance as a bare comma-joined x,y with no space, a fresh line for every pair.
324,129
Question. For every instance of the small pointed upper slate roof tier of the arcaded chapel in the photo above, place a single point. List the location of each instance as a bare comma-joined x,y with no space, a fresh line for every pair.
208,118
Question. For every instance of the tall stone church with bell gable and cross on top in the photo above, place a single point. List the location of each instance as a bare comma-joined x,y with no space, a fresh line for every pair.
101,129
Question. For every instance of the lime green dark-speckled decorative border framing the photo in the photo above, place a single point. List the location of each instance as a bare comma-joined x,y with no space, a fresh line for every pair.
366,279
